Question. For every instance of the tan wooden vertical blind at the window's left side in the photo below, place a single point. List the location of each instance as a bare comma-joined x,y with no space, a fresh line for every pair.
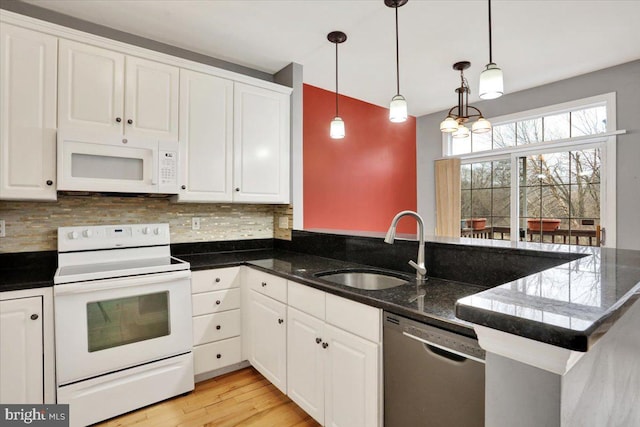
448,197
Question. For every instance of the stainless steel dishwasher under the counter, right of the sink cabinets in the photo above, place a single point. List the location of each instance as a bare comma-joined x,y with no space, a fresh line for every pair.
432,377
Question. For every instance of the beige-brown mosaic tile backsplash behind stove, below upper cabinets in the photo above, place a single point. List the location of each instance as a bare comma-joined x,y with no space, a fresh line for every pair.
32,226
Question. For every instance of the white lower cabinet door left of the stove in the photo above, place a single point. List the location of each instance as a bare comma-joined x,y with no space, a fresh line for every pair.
21,352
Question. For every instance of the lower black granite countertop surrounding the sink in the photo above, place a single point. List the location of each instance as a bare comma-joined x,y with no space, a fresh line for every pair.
439,302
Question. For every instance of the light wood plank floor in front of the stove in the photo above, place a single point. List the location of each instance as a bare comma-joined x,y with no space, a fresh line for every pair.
241,398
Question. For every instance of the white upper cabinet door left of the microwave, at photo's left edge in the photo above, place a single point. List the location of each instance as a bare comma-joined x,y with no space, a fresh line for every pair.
27,114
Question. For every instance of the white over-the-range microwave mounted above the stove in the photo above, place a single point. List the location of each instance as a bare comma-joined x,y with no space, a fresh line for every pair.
95,162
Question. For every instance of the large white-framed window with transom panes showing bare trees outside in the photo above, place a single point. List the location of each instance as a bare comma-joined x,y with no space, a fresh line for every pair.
541,175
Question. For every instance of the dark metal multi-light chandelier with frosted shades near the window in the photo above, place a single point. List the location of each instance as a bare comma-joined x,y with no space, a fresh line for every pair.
460,114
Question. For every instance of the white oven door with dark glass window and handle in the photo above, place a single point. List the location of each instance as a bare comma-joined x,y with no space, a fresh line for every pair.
107,325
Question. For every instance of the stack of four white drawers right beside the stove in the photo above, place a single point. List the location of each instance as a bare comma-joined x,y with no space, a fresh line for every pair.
217,323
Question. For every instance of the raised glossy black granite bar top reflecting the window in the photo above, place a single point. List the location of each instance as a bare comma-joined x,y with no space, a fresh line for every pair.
571,305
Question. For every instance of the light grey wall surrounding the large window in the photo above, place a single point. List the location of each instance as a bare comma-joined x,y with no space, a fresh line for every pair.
623,79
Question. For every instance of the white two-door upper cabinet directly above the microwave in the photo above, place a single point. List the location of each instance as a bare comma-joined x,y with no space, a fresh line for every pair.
106,91
